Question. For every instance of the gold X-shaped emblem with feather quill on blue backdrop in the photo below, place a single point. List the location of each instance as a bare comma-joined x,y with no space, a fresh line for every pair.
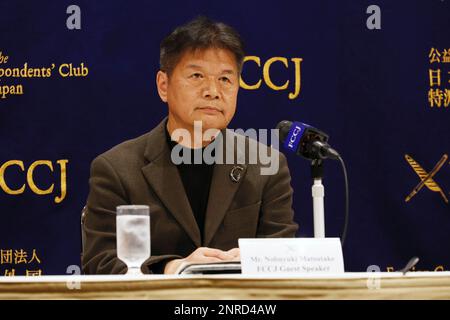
426,179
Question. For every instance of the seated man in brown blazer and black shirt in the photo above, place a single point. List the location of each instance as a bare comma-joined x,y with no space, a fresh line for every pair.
198,211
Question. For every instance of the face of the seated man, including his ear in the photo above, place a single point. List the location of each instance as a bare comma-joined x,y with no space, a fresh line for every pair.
202,87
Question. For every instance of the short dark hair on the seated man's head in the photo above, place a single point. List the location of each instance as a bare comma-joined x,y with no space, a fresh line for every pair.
200,33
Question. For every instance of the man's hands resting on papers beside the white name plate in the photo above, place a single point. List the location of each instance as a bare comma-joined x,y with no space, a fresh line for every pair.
203,255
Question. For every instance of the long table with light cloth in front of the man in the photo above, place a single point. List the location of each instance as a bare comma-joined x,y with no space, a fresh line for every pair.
417,285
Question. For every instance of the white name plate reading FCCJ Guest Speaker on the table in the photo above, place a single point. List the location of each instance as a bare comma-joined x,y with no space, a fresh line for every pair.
291,255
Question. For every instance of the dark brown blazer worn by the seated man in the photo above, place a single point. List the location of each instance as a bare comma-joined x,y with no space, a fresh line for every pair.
140,171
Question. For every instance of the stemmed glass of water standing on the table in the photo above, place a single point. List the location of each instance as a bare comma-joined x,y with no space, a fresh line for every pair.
133,236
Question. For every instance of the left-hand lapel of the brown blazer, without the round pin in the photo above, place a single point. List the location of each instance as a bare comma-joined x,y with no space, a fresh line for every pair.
165,180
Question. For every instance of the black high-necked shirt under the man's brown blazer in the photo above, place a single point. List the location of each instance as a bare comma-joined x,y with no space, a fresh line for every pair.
196,180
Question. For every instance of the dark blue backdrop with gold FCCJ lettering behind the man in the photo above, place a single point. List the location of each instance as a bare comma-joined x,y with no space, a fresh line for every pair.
368,89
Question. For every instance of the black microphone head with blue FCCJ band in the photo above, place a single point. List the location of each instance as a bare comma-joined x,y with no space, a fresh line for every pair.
306,141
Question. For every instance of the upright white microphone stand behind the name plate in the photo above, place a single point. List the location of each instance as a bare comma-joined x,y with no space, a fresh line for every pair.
318,194
